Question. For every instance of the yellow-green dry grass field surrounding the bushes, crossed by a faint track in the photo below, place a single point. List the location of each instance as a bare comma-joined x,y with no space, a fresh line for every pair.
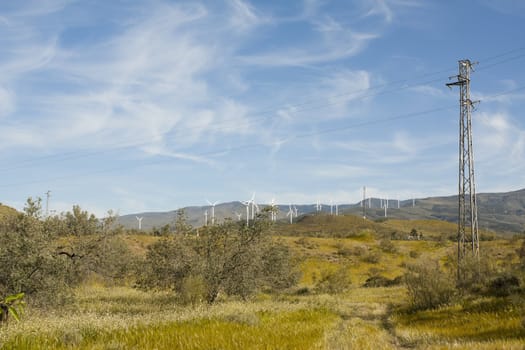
104,317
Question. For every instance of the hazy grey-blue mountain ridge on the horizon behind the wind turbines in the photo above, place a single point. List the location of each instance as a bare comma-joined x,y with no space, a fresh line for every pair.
501,212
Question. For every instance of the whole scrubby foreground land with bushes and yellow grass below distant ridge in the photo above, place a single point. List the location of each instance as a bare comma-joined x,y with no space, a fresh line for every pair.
322,283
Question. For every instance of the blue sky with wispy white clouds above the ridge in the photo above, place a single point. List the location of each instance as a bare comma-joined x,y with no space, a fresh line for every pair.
136,106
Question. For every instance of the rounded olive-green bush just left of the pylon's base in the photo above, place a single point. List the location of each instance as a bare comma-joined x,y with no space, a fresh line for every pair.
428,286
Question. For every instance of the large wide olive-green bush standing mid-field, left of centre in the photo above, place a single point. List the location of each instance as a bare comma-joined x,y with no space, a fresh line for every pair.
228,258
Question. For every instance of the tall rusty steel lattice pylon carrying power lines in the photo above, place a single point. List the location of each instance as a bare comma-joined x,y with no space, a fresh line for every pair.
467,207
